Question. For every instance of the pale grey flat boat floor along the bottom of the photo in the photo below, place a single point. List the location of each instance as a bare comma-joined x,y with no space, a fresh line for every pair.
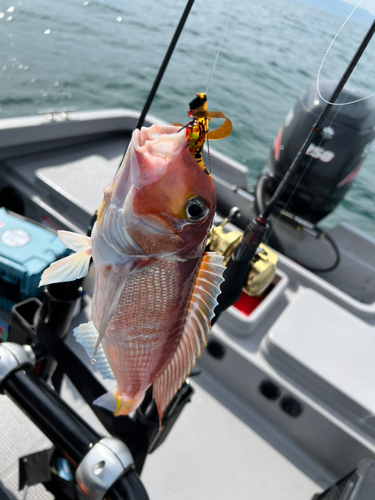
218,448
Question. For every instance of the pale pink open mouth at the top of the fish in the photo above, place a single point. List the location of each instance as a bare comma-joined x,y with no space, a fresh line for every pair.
159,141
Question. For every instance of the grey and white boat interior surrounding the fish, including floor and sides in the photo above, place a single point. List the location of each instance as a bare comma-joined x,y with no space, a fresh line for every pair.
311,339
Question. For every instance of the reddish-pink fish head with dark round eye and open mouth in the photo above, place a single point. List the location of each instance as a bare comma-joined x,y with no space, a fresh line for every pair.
160,199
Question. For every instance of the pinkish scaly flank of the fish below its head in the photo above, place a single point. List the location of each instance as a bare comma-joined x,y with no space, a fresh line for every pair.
154,325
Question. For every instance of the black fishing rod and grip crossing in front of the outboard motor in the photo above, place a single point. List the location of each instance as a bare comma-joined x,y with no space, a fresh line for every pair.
238,266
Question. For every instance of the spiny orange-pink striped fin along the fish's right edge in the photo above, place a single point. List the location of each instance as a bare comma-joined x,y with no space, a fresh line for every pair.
196,328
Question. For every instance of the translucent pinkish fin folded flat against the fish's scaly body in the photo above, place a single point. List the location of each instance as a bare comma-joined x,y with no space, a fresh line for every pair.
114,286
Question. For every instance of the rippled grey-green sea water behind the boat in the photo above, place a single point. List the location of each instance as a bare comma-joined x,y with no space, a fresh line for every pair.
106,53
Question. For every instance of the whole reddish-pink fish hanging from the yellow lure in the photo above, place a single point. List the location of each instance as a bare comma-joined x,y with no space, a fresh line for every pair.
155,286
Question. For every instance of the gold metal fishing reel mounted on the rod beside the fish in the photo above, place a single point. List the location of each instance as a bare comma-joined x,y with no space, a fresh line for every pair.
263,264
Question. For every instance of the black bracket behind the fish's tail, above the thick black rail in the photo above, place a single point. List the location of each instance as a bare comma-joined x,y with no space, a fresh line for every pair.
30,323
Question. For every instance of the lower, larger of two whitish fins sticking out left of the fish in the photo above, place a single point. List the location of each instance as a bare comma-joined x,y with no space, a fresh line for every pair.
68,269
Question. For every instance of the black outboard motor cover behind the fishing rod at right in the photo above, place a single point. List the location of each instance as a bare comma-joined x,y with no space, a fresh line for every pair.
333,160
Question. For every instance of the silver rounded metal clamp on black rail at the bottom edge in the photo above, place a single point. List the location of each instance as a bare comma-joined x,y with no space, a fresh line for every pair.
102,467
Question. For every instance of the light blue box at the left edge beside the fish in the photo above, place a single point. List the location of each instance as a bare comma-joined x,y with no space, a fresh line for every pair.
26,250
